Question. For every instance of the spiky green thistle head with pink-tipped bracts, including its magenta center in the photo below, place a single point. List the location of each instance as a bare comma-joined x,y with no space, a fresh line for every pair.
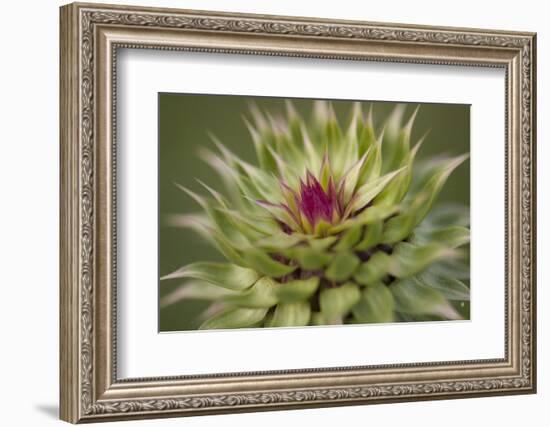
332,225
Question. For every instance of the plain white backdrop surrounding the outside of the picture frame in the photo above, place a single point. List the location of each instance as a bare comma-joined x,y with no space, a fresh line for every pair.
29,215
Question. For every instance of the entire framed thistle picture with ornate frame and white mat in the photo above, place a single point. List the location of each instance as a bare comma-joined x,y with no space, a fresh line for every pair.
263,212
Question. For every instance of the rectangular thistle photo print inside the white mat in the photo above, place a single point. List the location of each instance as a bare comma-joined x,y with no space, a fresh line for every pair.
279,212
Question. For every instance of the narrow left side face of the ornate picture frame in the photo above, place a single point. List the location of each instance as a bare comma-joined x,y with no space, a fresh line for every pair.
69,354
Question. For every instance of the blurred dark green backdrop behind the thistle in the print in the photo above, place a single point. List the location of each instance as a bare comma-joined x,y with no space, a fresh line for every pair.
185,120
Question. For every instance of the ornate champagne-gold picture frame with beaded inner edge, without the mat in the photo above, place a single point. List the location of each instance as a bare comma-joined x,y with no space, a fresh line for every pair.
90,35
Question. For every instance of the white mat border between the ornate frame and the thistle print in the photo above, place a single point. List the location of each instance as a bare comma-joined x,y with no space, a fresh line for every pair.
143,352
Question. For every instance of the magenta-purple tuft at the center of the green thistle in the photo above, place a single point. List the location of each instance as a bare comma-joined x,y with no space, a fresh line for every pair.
314,203
